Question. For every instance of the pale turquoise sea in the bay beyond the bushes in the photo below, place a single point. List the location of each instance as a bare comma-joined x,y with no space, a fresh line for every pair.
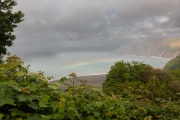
86,63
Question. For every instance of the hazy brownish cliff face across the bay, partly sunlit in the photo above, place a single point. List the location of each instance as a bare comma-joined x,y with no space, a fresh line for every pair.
168,48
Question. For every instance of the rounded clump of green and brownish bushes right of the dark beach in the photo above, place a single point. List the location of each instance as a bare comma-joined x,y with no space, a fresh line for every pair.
157,81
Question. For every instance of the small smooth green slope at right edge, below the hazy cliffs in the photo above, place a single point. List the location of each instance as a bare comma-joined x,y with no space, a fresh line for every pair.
173,64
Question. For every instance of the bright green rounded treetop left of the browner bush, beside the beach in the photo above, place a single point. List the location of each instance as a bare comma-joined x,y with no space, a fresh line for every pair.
123,71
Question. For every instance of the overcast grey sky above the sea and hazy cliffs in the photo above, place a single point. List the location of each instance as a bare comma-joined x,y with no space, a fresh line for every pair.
53,26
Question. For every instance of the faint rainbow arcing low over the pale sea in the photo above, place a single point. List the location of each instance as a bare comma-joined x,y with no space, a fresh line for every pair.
88,62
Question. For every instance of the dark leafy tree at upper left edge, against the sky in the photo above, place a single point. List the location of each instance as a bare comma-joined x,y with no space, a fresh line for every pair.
8,21
